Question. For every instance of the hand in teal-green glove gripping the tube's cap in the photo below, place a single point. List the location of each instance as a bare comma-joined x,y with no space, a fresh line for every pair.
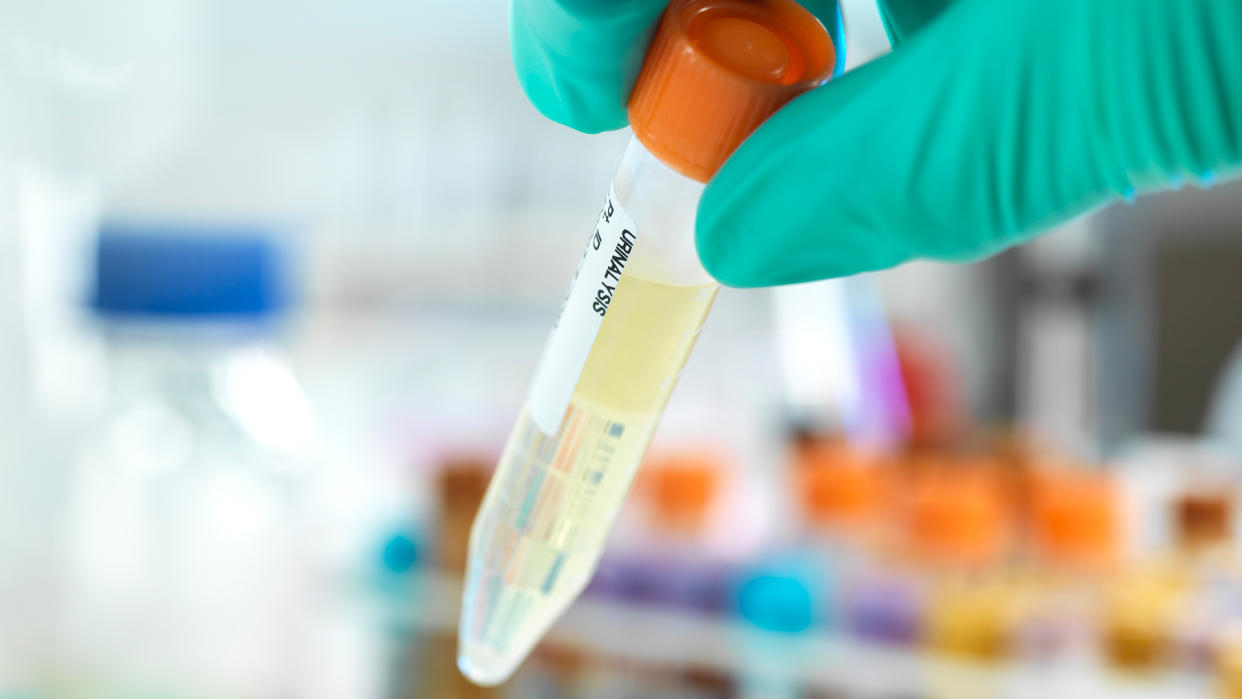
990,121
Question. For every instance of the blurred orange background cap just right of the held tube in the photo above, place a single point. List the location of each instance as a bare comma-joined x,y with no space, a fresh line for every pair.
682,489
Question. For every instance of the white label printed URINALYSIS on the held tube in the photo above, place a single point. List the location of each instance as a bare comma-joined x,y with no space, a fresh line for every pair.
599,273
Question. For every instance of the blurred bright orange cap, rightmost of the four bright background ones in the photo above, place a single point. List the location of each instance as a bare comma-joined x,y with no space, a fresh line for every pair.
1076,518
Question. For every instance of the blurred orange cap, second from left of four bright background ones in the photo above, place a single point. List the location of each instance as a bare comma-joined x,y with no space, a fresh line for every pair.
840,486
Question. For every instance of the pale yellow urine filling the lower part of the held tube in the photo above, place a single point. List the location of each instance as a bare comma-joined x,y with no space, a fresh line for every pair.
542,527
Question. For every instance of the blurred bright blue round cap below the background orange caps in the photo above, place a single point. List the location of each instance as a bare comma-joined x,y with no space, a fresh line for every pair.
784,595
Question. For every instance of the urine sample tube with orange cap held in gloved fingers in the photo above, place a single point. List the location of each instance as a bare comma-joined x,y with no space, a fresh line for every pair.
715,71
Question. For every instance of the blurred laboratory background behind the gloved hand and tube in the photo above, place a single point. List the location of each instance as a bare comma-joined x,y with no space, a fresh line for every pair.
274,280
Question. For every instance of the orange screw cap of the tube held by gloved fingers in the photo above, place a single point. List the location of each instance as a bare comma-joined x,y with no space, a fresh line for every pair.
716,70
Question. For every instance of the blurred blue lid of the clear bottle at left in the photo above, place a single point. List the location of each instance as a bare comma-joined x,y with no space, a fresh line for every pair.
188,273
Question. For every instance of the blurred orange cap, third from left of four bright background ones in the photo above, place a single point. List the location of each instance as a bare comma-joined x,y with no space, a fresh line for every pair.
957,517
